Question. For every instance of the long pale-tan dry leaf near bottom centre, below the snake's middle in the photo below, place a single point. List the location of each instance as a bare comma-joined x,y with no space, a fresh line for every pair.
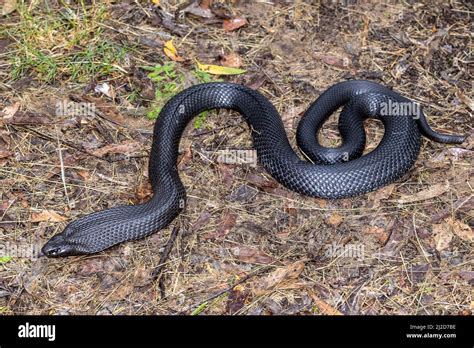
282,277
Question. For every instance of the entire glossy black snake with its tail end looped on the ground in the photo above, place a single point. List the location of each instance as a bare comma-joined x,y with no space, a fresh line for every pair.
335,173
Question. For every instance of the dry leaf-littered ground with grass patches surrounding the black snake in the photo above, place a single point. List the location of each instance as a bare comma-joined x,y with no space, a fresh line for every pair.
80,86
